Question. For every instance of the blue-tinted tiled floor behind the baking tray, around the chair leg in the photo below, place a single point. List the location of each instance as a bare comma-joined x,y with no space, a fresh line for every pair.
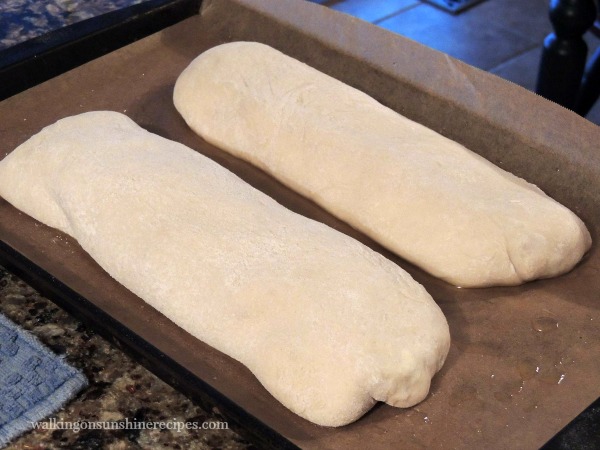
501,36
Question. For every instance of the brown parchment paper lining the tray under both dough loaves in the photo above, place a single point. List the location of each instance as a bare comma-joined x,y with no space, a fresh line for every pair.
524,360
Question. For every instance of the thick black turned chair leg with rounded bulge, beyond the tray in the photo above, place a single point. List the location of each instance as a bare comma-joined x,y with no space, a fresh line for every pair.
564,53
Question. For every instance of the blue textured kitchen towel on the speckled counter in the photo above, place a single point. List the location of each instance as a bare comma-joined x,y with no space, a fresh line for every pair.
34,382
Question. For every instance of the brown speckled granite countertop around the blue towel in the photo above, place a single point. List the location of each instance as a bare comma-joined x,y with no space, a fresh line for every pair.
119,388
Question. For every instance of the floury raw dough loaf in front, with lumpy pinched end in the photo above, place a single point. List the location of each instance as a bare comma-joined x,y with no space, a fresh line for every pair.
326,324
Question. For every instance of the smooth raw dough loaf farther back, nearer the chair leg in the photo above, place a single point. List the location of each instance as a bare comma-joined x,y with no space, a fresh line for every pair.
421,195
